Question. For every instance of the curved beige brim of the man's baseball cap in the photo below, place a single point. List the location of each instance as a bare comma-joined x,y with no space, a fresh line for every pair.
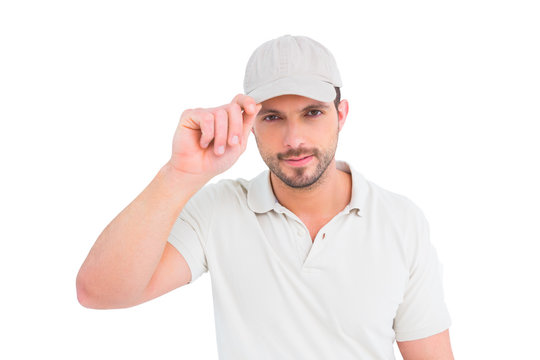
308,87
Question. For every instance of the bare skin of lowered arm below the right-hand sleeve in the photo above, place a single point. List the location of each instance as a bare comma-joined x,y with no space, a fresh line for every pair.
435,347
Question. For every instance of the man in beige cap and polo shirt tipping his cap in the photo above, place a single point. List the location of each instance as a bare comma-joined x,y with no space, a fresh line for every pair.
309,260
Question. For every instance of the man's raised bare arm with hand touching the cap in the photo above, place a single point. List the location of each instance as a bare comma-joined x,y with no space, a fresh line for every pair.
131,261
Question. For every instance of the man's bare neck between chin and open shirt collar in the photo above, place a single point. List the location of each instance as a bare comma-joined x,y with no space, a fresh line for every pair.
324,199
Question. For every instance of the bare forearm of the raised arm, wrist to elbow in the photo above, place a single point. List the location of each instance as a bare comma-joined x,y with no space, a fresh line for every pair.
127,252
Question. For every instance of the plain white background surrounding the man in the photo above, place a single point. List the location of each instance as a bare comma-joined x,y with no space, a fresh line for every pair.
444,108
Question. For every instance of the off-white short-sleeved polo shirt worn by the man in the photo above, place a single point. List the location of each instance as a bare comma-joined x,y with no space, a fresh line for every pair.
371,275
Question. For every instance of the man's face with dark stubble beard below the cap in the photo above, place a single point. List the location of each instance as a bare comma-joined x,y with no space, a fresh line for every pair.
297,137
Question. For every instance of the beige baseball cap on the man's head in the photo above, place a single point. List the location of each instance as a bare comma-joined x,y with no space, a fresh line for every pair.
292,65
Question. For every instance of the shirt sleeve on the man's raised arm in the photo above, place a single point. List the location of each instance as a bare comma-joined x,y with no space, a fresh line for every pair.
189,234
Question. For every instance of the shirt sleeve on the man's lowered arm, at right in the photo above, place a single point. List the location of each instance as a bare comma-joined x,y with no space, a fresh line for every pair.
423,311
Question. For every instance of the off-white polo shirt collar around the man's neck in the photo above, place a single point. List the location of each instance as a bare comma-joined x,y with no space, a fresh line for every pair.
261,198
